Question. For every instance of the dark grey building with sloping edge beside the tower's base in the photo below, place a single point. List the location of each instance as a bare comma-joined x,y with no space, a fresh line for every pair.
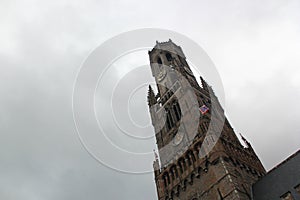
282,182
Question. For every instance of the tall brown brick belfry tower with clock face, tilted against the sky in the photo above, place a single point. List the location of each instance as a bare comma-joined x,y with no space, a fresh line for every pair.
196,161
